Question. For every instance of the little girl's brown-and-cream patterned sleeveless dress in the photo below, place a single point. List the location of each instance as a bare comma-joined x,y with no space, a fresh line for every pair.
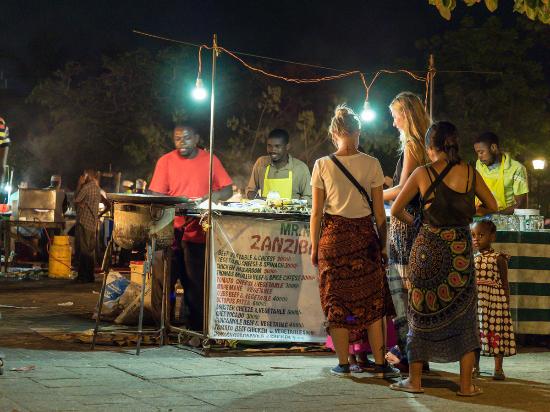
493,308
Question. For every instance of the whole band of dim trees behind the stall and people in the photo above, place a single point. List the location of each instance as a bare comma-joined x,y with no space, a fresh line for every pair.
121,111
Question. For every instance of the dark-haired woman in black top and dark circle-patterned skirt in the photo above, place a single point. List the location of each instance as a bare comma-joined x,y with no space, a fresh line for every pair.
442,309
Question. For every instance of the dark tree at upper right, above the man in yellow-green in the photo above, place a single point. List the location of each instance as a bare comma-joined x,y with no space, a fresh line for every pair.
499,85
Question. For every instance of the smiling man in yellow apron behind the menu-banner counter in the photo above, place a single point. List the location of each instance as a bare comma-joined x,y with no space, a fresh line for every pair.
278,174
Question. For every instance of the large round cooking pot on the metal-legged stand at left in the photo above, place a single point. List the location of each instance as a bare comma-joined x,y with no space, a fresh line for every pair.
135,224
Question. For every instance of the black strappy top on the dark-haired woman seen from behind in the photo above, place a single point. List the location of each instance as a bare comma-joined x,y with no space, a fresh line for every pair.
449,207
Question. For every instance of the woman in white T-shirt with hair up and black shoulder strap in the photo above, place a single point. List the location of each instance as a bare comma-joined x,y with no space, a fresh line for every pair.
347,194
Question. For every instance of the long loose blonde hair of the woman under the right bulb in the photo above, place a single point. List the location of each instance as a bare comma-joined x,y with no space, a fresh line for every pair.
417,122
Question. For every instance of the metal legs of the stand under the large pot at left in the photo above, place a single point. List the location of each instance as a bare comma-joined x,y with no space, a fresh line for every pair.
147,270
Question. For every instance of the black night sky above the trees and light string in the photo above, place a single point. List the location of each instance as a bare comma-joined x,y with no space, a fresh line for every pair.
353,34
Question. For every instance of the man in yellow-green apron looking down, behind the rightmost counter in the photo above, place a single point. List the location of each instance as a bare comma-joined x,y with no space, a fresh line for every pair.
506,177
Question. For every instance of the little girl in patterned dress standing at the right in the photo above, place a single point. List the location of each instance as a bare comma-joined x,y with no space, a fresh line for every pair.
493,299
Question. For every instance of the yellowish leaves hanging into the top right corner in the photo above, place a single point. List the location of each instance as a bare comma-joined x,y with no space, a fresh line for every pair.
533,9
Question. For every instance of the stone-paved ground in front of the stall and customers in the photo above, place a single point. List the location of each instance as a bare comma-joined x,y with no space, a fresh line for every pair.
67,376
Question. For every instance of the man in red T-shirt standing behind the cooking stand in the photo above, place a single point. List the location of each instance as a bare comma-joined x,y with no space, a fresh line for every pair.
185,172
